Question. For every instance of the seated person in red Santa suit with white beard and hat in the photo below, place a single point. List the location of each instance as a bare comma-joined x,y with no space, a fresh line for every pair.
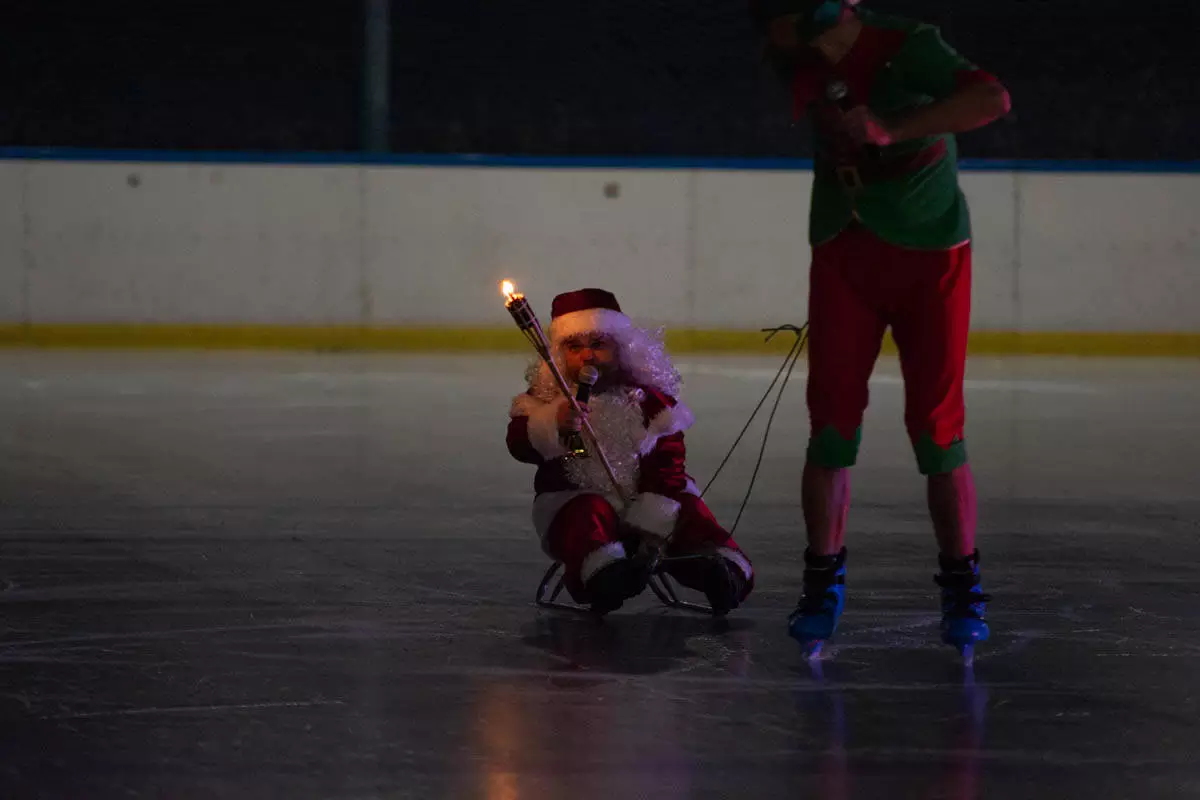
640,423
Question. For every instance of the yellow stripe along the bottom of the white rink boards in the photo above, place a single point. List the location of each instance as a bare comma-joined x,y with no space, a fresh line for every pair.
509,340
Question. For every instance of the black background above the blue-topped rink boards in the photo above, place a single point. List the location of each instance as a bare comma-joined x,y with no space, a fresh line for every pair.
1090,80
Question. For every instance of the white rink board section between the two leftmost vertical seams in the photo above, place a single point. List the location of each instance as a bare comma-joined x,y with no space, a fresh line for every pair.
194,244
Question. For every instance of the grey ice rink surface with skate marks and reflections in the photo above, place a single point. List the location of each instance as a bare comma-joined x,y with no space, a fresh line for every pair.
311,576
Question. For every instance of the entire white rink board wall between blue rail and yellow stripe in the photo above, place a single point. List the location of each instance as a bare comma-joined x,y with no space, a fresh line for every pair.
349,245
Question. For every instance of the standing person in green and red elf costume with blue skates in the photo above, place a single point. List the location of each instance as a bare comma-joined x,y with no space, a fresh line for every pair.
891,239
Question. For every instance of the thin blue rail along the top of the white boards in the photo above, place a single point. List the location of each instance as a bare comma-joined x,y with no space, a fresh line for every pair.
561,163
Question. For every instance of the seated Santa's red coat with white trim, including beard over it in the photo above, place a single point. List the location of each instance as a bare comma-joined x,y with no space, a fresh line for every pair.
641,430
